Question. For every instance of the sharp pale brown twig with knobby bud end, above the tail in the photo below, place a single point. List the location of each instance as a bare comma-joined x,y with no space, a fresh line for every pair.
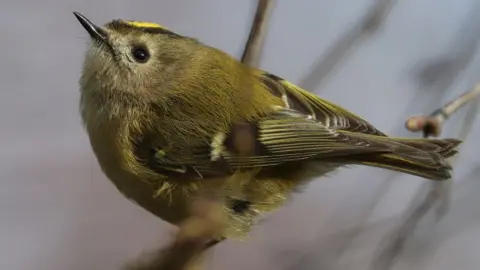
432,125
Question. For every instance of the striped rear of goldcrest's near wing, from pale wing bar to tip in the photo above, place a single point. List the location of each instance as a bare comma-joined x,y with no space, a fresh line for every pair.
288,135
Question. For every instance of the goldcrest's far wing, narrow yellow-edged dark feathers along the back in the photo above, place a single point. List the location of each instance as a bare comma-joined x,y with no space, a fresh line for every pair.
331,115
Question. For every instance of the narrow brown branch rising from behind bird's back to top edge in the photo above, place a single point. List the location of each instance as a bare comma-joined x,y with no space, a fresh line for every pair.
253,46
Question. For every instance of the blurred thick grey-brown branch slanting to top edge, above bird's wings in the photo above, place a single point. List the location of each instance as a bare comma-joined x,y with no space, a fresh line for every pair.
369,24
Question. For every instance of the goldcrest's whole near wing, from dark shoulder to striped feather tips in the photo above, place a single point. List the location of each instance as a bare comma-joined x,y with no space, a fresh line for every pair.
281,137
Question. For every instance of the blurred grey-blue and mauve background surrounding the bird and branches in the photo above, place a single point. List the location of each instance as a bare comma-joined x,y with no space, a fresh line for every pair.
59,212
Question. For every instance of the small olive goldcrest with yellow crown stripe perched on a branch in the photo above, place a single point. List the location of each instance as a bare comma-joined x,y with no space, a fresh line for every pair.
168,116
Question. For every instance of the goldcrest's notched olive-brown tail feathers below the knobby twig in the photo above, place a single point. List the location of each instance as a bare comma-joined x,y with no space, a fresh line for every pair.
421,157
